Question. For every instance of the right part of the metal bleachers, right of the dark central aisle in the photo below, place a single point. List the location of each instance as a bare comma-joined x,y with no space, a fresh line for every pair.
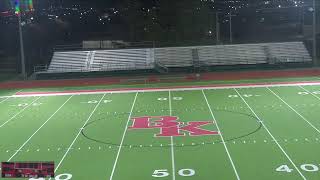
254,53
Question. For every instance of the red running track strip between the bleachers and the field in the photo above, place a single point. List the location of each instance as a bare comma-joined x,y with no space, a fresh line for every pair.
190,77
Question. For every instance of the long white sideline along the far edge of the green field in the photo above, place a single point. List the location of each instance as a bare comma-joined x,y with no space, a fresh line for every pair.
178,88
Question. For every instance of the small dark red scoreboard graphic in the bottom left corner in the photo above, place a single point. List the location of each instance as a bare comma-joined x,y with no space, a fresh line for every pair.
27,169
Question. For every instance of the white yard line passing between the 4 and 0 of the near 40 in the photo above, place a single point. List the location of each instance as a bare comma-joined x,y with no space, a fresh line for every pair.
274,139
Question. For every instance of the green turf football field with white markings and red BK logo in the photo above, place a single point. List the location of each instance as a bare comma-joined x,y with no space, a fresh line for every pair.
248,133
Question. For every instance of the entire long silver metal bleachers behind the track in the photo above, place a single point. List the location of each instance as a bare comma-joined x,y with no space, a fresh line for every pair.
131,59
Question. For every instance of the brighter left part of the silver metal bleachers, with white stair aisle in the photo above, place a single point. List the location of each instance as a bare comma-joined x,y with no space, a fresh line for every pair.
102,60
